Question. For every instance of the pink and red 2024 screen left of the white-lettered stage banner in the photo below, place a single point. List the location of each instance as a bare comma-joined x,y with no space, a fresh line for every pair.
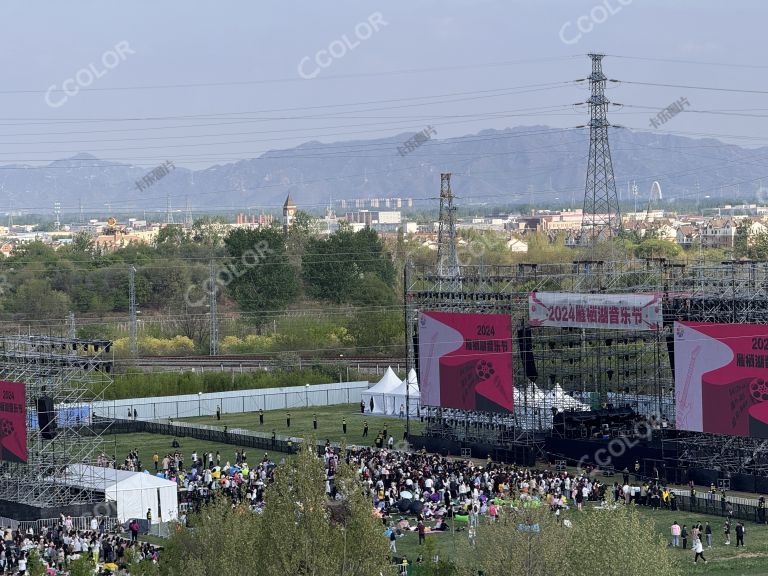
465,361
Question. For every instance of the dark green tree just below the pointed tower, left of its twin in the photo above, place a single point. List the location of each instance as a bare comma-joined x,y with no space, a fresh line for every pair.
258,276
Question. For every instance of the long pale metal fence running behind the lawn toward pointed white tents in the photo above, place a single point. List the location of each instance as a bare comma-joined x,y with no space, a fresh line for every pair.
228,403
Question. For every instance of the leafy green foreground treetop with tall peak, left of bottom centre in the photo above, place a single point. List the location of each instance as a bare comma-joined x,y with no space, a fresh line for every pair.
299,532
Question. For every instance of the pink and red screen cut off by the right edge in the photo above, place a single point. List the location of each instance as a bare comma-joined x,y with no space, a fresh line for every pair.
721,378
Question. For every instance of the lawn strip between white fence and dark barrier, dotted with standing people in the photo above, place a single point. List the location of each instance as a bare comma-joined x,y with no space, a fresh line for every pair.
329,423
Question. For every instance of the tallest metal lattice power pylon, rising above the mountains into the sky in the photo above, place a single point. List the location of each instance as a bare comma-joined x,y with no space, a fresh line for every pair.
602,216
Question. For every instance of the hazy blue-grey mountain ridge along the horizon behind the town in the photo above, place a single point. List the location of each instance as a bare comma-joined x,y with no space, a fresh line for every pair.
496,167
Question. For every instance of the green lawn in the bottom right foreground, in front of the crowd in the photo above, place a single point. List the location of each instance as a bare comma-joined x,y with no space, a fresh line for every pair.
752,560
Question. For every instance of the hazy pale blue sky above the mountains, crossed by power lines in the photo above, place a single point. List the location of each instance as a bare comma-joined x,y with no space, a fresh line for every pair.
202,83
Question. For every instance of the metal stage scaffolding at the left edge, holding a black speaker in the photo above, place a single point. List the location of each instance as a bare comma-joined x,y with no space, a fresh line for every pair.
73,373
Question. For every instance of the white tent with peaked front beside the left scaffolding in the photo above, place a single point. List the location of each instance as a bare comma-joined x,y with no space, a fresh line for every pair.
134,492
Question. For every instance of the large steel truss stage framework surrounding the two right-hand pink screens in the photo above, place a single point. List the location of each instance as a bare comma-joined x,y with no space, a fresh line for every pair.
597,367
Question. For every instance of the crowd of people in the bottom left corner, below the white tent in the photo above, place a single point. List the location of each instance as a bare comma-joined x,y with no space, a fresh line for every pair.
59,544
